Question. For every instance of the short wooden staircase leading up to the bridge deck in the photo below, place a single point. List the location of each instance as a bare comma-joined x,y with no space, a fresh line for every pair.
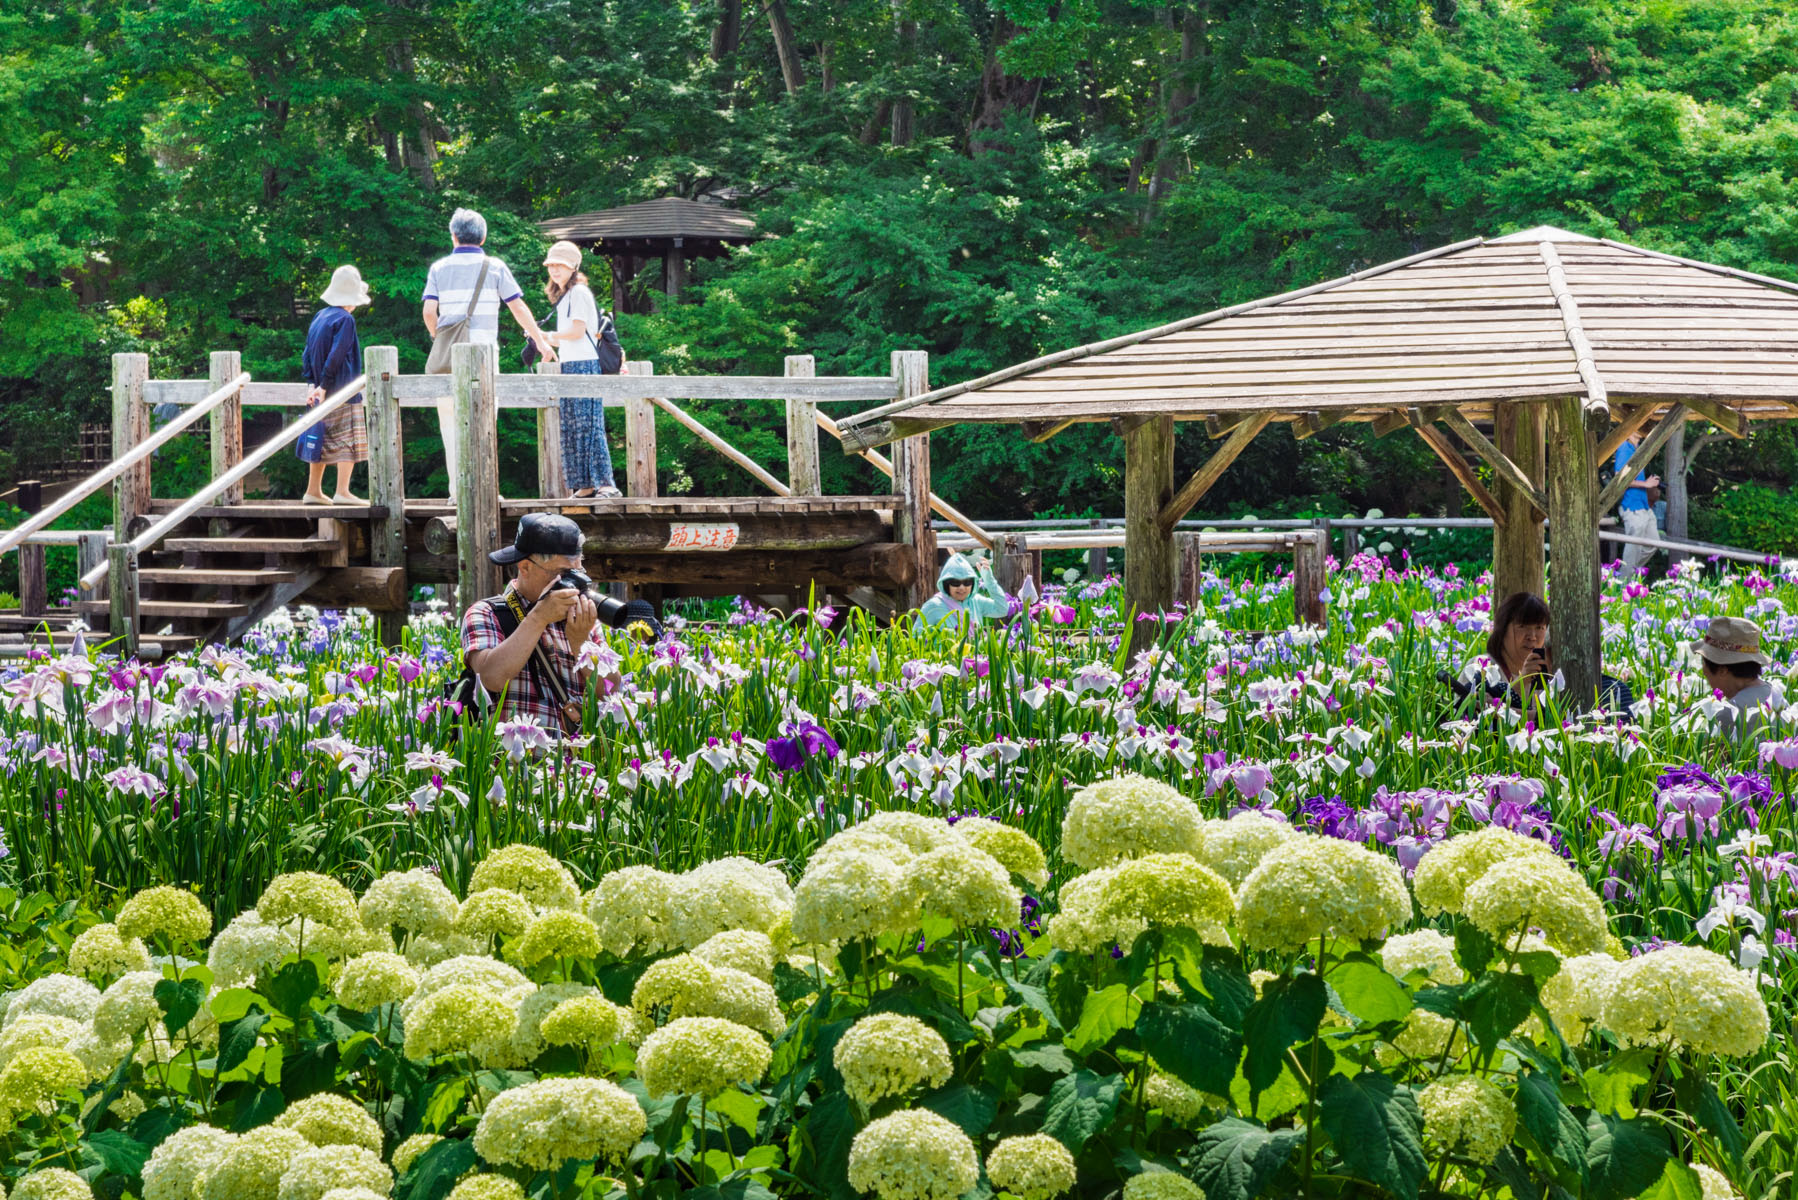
229,569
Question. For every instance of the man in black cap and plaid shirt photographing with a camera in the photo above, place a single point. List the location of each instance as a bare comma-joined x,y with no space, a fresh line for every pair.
524,647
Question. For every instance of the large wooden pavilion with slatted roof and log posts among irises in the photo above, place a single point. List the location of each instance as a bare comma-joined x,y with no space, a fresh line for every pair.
1556,343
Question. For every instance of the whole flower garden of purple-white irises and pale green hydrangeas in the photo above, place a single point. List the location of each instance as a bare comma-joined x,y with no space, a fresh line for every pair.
828,911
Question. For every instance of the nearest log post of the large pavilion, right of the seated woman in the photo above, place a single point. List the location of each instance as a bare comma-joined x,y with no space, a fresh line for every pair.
1574,548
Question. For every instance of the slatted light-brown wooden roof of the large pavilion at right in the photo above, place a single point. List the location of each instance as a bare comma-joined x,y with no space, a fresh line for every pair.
1531,316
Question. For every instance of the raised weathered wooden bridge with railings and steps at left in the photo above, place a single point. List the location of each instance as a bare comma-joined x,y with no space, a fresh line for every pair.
179,573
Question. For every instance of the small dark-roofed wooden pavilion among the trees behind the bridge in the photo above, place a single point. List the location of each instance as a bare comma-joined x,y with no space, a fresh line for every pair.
670,229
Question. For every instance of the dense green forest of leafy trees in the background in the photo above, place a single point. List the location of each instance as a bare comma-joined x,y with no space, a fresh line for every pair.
981,179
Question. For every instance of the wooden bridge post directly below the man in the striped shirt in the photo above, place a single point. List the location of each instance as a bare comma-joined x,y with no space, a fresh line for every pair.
474,373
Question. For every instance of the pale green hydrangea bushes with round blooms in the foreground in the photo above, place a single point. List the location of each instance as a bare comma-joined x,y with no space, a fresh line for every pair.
900,1023
